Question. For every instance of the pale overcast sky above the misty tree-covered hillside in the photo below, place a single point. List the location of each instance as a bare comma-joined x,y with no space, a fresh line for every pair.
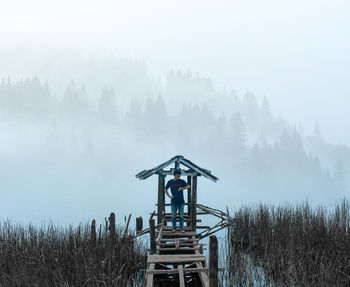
294,52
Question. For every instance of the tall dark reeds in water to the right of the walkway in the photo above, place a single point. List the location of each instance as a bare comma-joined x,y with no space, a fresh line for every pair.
289,245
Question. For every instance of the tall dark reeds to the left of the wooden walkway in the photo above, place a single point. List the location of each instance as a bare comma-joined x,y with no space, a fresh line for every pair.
69,256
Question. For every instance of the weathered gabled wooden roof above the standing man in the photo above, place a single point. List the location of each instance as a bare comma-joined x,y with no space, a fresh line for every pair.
179,159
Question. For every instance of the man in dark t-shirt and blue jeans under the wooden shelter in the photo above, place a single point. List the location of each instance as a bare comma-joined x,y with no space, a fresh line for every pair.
177,186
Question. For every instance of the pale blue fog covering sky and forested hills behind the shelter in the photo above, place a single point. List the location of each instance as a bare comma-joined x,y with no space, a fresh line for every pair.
91,94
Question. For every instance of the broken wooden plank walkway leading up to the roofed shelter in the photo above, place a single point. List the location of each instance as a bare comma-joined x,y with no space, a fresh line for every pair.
178,261
